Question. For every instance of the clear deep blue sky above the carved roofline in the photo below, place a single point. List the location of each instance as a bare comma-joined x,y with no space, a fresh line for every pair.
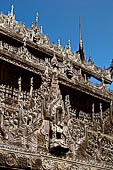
60,20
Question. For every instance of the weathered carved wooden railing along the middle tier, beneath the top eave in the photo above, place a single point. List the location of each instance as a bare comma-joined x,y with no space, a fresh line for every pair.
23,52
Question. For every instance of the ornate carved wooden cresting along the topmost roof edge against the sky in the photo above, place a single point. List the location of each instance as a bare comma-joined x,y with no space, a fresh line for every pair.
42,41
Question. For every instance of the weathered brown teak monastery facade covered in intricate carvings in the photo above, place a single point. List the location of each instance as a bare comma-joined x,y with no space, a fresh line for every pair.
52,117
